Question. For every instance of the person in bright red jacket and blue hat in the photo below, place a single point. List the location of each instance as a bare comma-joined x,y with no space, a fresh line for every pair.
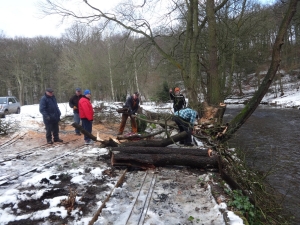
86,114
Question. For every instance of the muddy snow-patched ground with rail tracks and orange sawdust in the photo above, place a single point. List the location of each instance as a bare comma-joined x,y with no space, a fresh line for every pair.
67,183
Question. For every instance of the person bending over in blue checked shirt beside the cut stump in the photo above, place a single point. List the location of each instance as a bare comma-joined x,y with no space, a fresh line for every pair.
185,119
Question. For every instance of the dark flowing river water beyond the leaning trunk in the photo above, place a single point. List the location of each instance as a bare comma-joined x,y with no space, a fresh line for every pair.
271,139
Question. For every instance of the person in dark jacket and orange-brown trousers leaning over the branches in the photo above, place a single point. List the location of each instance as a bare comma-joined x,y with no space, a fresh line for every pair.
132,104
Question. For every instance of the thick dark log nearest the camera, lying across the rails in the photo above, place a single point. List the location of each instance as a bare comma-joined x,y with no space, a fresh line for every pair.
156,160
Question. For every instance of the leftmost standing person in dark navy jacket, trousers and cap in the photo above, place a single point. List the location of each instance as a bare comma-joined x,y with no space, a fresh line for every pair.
51,115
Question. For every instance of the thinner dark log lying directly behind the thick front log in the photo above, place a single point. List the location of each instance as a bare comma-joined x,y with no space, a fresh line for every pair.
161,150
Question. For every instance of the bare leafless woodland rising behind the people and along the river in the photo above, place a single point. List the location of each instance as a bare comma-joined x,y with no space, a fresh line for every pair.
207,48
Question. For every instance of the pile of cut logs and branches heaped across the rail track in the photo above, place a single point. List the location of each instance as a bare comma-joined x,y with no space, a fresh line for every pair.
140,151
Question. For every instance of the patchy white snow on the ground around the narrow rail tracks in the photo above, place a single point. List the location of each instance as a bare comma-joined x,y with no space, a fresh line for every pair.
36,197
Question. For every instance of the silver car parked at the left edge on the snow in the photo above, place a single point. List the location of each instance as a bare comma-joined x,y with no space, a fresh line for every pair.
8,105
